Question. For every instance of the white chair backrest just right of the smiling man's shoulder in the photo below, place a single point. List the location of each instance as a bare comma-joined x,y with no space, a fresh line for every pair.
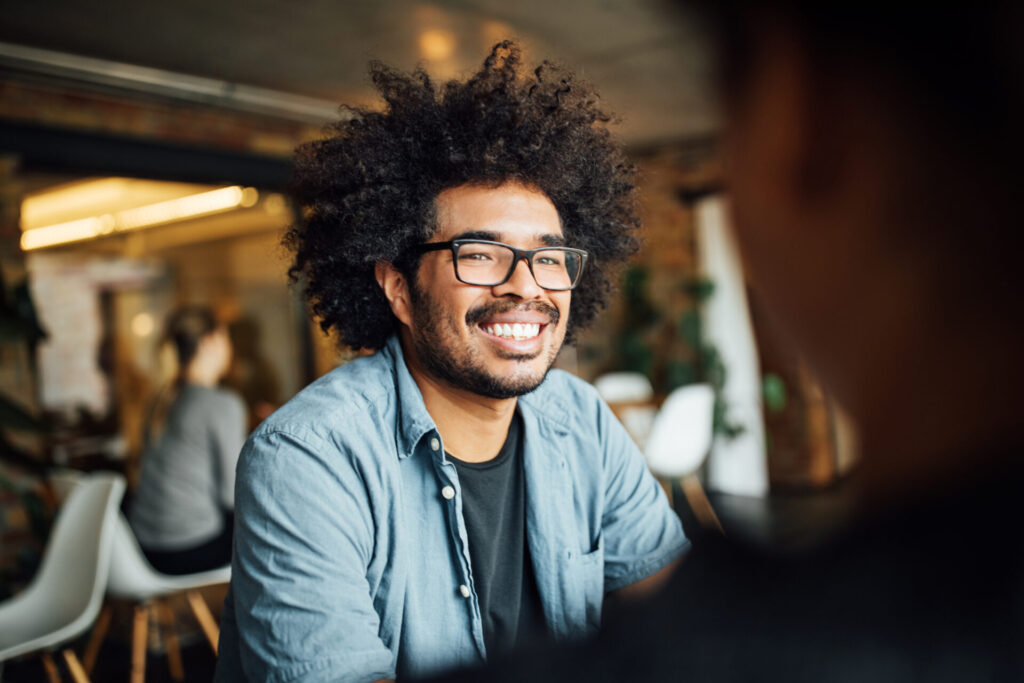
681,436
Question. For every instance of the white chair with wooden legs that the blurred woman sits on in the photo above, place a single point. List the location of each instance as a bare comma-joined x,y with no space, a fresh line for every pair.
134,579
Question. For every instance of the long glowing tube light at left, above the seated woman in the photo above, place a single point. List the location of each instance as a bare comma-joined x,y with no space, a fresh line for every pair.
193,206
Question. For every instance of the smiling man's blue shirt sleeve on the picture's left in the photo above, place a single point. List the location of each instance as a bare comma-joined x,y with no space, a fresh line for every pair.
304,538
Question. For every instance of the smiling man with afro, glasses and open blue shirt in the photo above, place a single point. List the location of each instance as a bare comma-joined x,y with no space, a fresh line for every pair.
450,496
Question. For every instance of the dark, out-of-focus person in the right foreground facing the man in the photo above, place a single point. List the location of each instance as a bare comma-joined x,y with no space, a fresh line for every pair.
874,163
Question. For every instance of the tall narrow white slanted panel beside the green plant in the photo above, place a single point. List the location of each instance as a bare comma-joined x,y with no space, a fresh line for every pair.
737,465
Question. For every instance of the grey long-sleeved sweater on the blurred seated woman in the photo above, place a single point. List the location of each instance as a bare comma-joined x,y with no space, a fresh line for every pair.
189,472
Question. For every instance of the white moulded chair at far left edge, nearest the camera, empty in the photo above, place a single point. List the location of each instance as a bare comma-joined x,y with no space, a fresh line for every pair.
66,594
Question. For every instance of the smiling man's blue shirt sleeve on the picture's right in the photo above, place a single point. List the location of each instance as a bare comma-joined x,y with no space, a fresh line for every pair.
642,533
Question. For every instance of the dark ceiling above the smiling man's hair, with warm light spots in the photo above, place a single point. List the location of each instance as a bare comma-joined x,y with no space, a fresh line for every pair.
649,65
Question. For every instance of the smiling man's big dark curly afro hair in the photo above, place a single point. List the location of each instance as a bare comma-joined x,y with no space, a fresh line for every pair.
367,192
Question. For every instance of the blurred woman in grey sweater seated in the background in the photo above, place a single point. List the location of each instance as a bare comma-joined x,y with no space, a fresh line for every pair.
182,513
